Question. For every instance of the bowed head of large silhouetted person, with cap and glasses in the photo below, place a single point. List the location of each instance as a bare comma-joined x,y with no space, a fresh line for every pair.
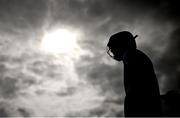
119,43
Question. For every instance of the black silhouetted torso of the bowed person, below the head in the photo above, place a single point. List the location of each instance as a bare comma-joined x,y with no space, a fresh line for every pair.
141,86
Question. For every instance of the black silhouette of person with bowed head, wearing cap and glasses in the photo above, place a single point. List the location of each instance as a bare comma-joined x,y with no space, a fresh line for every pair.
140,82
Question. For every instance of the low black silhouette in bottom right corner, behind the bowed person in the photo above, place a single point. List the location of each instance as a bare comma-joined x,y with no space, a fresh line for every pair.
171,104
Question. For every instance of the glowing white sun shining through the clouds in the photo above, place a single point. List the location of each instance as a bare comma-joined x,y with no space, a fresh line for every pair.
59,41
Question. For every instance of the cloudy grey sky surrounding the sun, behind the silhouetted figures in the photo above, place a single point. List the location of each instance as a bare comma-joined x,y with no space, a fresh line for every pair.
84,81
